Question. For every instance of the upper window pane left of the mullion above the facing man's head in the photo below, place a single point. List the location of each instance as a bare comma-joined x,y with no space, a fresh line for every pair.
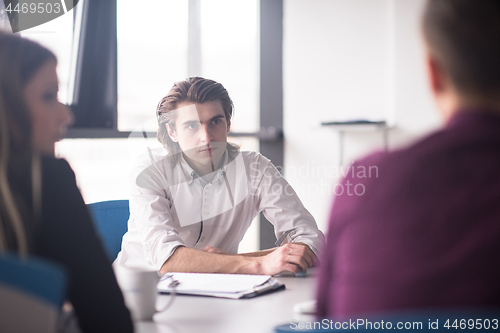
152,55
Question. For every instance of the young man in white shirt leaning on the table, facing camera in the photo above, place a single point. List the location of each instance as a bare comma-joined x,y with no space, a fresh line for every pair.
192,202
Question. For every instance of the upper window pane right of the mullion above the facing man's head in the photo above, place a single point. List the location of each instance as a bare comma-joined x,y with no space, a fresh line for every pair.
230,55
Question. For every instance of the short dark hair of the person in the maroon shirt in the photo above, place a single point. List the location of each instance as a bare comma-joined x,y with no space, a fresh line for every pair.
463,36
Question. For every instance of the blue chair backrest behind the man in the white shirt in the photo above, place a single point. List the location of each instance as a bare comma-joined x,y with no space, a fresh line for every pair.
110,219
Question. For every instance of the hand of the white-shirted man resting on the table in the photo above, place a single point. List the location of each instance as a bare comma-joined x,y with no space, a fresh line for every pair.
288,257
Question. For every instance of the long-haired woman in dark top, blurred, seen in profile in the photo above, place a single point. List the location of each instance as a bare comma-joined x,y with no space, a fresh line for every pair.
41,210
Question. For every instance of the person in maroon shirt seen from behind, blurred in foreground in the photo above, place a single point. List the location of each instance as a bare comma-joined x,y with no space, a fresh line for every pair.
421,230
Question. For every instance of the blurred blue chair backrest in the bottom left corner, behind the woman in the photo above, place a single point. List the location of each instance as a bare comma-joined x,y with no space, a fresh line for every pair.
32,292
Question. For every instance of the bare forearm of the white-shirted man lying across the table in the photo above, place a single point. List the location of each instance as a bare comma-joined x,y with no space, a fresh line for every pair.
196,261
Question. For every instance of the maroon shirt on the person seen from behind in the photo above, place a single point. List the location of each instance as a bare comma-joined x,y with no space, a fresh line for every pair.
422,233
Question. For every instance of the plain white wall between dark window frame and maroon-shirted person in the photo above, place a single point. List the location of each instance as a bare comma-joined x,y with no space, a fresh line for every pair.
349,59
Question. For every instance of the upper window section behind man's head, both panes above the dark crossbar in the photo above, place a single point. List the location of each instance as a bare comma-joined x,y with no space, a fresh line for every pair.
150,60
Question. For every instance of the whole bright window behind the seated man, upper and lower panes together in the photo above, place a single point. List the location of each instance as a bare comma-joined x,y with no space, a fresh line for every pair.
152,55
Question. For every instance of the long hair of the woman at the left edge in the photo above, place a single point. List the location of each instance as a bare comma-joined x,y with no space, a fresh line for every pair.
19,61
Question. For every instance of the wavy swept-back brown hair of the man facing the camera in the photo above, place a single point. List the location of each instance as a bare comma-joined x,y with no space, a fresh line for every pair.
191,90
